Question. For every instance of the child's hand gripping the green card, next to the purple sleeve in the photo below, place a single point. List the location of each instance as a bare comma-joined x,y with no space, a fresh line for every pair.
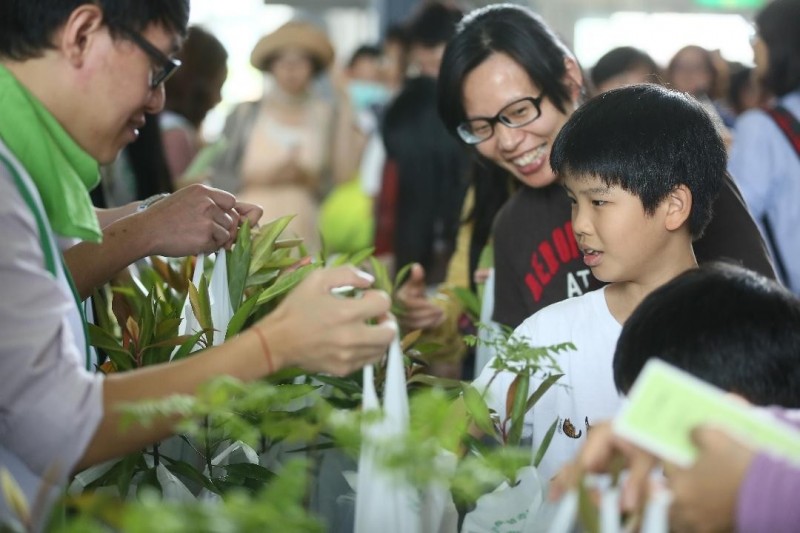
705,495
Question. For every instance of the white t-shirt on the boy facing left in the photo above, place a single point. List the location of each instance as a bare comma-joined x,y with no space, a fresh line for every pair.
584,395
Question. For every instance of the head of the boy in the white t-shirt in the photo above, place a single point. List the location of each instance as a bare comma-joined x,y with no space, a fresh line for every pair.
642,165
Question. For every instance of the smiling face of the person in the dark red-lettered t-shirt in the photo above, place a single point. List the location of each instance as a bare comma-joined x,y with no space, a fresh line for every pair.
524,151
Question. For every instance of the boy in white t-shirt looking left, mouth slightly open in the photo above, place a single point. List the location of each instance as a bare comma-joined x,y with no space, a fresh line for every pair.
642,166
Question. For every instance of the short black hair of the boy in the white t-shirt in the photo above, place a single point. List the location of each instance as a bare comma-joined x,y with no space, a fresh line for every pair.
648,140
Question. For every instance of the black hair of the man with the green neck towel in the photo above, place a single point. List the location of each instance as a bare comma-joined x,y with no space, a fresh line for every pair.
27,26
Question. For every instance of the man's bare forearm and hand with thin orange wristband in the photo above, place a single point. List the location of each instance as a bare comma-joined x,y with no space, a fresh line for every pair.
310,328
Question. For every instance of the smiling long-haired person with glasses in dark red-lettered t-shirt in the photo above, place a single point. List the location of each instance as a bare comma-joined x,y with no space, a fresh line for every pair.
506,86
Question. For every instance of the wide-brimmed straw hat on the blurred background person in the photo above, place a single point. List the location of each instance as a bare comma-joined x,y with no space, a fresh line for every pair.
297,34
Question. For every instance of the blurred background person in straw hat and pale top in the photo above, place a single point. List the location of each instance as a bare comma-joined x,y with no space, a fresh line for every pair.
282,147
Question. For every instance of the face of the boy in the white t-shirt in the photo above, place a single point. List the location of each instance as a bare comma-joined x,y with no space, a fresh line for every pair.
619,241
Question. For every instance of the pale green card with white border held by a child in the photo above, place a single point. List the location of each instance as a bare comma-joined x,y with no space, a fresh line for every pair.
665,404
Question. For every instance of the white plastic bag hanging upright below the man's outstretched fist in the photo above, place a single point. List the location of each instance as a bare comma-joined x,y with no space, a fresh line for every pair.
384,502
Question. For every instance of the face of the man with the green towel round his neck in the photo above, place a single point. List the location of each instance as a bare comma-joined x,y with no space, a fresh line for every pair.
116,92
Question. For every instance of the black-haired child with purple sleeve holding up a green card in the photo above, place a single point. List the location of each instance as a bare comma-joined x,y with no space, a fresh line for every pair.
740,332
